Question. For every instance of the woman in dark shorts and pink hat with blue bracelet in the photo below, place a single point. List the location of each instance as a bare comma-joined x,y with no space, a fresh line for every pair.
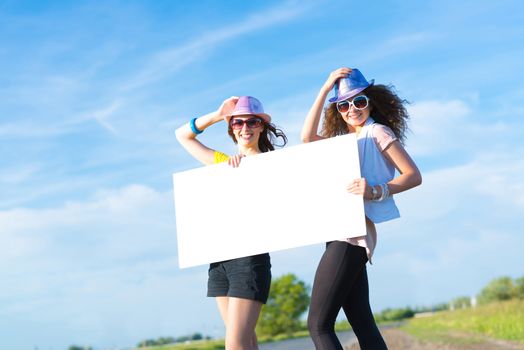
241,285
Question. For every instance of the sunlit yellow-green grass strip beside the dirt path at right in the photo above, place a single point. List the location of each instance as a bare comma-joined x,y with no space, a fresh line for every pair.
502,320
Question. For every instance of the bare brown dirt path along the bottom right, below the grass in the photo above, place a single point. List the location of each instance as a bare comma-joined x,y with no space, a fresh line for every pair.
398,340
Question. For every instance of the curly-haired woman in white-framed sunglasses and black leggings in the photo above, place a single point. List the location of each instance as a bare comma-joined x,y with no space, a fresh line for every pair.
379,119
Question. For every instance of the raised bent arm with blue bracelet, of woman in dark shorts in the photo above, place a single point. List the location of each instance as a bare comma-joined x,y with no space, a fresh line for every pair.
188,138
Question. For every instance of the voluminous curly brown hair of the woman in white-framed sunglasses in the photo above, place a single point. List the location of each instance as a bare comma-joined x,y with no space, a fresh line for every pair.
386,108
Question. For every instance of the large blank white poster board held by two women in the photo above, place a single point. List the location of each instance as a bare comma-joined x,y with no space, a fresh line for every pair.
278,200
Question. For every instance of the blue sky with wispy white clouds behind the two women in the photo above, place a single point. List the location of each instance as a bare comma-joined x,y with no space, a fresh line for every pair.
90,96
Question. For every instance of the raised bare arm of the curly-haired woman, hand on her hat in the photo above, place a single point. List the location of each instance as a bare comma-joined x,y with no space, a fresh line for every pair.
310,128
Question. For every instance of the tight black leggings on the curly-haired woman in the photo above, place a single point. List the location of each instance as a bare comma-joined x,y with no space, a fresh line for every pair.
341,281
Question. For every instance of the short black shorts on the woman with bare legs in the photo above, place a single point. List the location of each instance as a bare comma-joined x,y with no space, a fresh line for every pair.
247,278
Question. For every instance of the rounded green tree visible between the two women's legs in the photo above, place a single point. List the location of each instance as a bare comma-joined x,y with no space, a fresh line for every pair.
288,300
